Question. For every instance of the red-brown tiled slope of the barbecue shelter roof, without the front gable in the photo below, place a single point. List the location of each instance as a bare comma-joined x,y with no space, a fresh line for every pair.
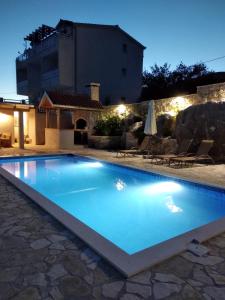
74,100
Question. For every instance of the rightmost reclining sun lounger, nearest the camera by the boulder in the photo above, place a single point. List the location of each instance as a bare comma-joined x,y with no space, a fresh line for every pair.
202,155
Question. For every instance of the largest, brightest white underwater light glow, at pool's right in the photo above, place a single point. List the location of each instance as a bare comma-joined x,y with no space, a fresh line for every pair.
163,187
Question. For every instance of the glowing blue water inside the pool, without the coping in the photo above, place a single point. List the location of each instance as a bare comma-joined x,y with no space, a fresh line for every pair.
131,208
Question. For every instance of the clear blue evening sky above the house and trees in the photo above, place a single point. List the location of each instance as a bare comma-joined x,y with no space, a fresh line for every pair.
172,30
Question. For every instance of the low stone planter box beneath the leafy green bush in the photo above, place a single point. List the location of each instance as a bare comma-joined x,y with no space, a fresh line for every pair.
104,142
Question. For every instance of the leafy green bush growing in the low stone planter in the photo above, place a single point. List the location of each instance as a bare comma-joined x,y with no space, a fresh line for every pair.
109,125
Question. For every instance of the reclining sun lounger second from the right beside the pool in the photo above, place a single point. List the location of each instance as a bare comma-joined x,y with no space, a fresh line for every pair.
182,150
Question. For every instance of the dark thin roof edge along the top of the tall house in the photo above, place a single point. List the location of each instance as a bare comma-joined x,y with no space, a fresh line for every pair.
114,27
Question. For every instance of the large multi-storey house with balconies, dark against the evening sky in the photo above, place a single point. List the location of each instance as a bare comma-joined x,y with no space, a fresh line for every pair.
71,55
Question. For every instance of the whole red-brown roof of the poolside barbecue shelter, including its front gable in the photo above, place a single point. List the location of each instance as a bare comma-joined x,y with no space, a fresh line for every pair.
58,99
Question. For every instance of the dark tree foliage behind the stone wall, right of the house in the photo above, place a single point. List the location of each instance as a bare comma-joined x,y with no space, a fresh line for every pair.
160,82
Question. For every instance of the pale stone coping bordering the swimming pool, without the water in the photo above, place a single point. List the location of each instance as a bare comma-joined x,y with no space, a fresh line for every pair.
128,265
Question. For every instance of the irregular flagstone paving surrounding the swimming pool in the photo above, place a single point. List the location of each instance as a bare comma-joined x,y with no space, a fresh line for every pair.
41,259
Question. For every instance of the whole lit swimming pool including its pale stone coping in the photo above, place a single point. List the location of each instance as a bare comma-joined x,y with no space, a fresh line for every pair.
125,211
